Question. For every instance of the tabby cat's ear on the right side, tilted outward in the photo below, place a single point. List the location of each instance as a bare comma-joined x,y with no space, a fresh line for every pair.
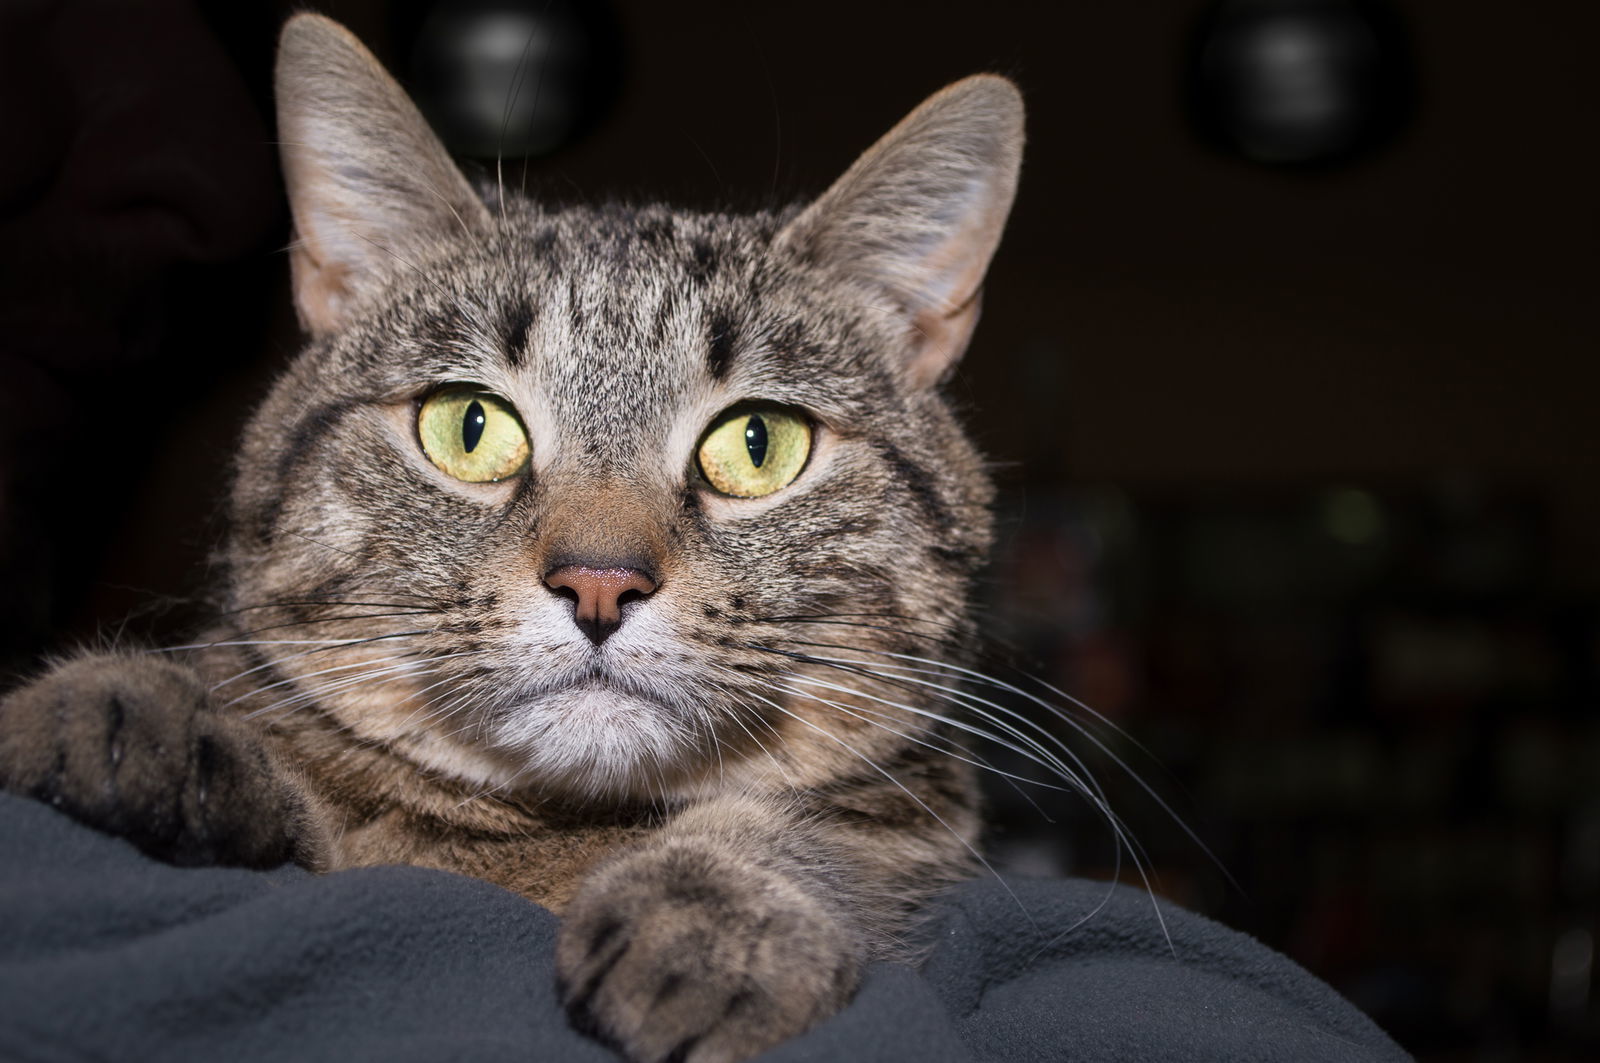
921,214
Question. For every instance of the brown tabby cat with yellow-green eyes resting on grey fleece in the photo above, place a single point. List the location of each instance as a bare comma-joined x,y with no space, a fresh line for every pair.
618,556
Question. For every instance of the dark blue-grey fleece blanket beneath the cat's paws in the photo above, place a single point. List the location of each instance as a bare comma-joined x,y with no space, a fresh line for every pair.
106,955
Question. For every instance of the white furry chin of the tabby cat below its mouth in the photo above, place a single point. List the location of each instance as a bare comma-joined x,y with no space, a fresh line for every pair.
596,740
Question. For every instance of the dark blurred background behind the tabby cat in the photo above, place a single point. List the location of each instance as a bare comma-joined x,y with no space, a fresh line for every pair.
1287,367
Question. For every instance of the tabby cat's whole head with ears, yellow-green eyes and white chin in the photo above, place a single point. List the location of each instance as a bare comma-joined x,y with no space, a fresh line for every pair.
582,499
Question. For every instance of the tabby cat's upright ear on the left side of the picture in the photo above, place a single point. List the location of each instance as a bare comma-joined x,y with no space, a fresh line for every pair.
369,182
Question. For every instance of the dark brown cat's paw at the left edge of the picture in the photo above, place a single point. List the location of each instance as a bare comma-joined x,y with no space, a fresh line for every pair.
130,747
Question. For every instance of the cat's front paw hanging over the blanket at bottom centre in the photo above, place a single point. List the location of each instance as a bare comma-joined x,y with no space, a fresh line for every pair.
690,953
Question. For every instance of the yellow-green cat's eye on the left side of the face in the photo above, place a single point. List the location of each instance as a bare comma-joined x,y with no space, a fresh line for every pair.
473,435
